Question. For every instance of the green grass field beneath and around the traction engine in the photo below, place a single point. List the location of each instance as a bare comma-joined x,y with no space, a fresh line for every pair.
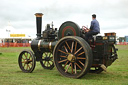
10,73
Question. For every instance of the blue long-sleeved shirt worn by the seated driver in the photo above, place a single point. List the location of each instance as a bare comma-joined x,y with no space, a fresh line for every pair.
95,26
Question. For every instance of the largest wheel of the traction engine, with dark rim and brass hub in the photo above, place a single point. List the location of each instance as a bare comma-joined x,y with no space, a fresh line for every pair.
72,56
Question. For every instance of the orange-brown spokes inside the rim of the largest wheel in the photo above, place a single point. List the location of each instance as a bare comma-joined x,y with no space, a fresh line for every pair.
69,66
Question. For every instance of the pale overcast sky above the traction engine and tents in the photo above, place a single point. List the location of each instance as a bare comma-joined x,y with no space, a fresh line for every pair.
111,14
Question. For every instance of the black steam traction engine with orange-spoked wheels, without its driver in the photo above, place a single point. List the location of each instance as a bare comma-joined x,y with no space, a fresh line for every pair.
68,51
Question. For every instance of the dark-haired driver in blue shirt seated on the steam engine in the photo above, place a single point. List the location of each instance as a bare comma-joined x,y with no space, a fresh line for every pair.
94,28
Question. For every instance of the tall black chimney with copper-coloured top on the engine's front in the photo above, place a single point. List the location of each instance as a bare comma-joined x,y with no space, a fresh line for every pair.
38,24
